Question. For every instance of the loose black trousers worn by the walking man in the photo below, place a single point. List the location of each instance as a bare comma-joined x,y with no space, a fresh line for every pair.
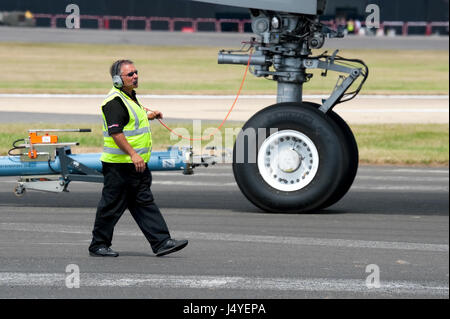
125,188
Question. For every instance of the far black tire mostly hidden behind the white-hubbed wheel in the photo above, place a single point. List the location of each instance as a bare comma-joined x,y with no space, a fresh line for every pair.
351,156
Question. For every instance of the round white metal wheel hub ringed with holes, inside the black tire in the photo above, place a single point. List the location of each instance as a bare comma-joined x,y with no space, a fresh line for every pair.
288,160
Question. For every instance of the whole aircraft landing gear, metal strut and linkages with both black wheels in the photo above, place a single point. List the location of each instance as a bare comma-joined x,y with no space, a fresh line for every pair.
295,156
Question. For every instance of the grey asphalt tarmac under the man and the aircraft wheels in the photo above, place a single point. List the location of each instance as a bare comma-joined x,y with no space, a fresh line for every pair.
393,222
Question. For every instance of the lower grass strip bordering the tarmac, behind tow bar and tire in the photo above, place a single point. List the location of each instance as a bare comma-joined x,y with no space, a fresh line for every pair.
412,144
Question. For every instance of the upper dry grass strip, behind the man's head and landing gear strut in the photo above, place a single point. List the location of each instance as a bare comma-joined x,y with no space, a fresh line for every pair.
83,68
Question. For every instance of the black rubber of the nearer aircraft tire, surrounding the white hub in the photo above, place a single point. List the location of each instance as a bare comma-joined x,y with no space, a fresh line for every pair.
304,118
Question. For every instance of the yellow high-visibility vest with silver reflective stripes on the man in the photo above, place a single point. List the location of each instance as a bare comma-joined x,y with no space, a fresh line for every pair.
137,132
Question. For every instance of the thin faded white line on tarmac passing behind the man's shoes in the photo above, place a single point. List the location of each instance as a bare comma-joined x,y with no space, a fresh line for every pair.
278,240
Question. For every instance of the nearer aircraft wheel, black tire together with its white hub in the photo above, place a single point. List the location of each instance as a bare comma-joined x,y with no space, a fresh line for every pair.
289,158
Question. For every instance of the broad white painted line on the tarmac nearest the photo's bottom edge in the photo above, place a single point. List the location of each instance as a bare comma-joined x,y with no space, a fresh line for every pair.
13,279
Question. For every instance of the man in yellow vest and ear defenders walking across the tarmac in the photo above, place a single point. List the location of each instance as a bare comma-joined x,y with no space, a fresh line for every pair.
127,150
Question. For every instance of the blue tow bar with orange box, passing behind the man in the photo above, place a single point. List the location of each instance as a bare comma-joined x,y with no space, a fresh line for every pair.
43,164
